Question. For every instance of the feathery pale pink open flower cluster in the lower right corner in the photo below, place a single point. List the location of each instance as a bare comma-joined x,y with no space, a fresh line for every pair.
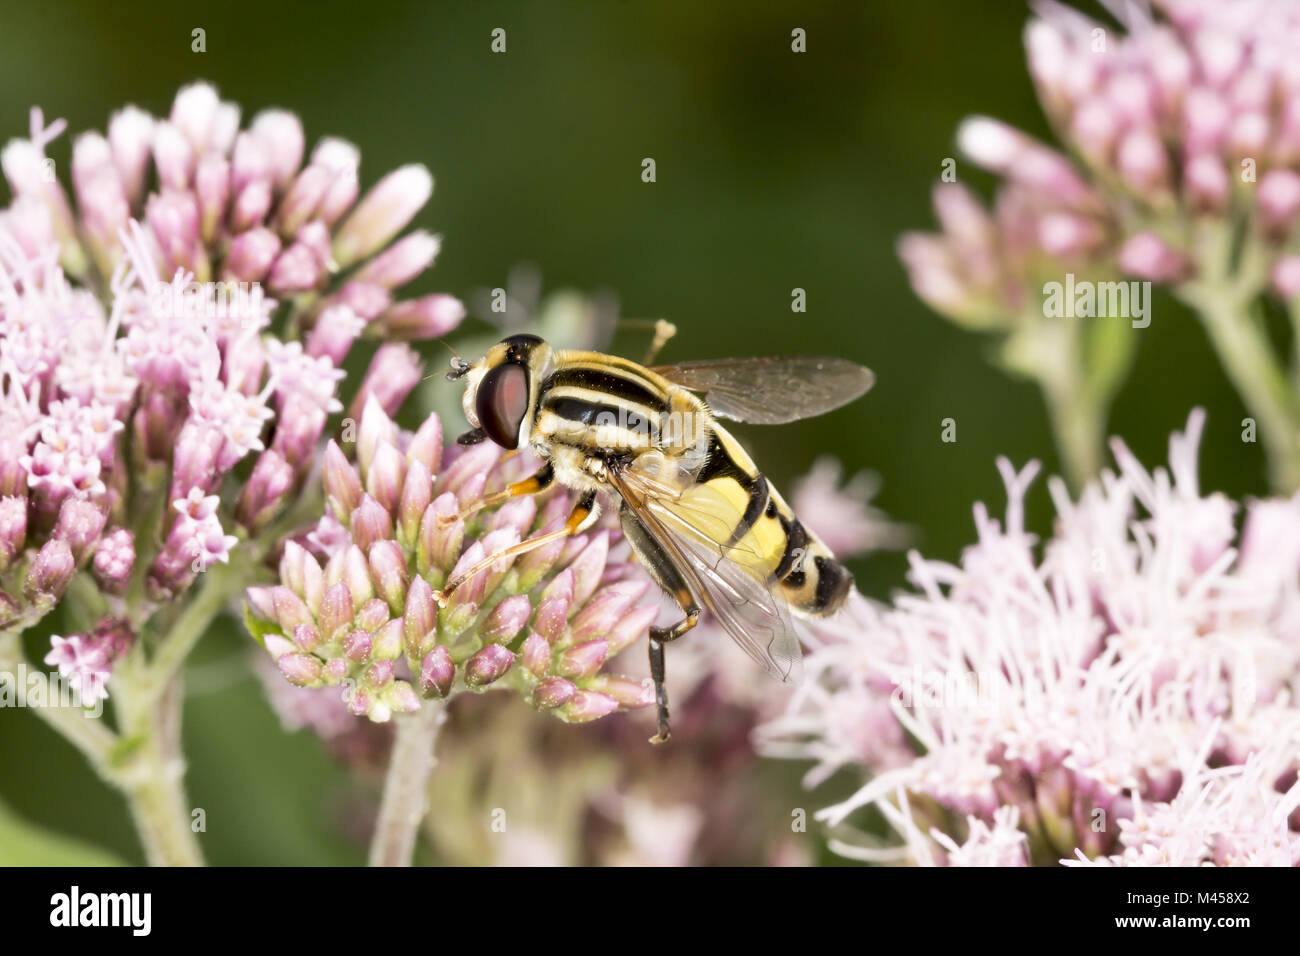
1132,694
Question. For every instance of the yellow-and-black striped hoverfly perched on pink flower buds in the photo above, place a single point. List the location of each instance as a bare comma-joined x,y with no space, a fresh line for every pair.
696,511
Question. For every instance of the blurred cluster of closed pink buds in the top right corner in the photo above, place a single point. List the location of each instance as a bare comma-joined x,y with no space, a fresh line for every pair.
1184,120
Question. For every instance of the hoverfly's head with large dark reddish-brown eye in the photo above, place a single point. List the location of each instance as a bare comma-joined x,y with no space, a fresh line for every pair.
501,390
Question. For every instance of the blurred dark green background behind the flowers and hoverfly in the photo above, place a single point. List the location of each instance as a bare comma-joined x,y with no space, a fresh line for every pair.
775,171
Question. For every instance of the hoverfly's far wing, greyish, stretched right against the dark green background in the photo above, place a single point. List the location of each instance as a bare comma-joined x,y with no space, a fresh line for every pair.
773,391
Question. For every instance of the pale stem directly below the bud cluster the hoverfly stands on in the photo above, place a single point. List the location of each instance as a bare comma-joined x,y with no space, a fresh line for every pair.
406,786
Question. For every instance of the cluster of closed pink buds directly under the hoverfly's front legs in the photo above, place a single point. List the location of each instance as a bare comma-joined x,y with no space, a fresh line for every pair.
361,615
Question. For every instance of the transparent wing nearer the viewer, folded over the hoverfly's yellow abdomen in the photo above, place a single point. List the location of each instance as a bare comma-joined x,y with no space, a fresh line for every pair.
690,527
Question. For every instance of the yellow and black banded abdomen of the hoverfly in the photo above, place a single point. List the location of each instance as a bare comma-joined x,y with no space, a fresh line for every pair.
768,537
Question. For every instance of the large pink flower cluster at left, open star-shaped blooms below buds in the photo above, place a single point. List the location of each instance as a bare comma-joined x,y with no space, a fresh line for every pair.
142,358
